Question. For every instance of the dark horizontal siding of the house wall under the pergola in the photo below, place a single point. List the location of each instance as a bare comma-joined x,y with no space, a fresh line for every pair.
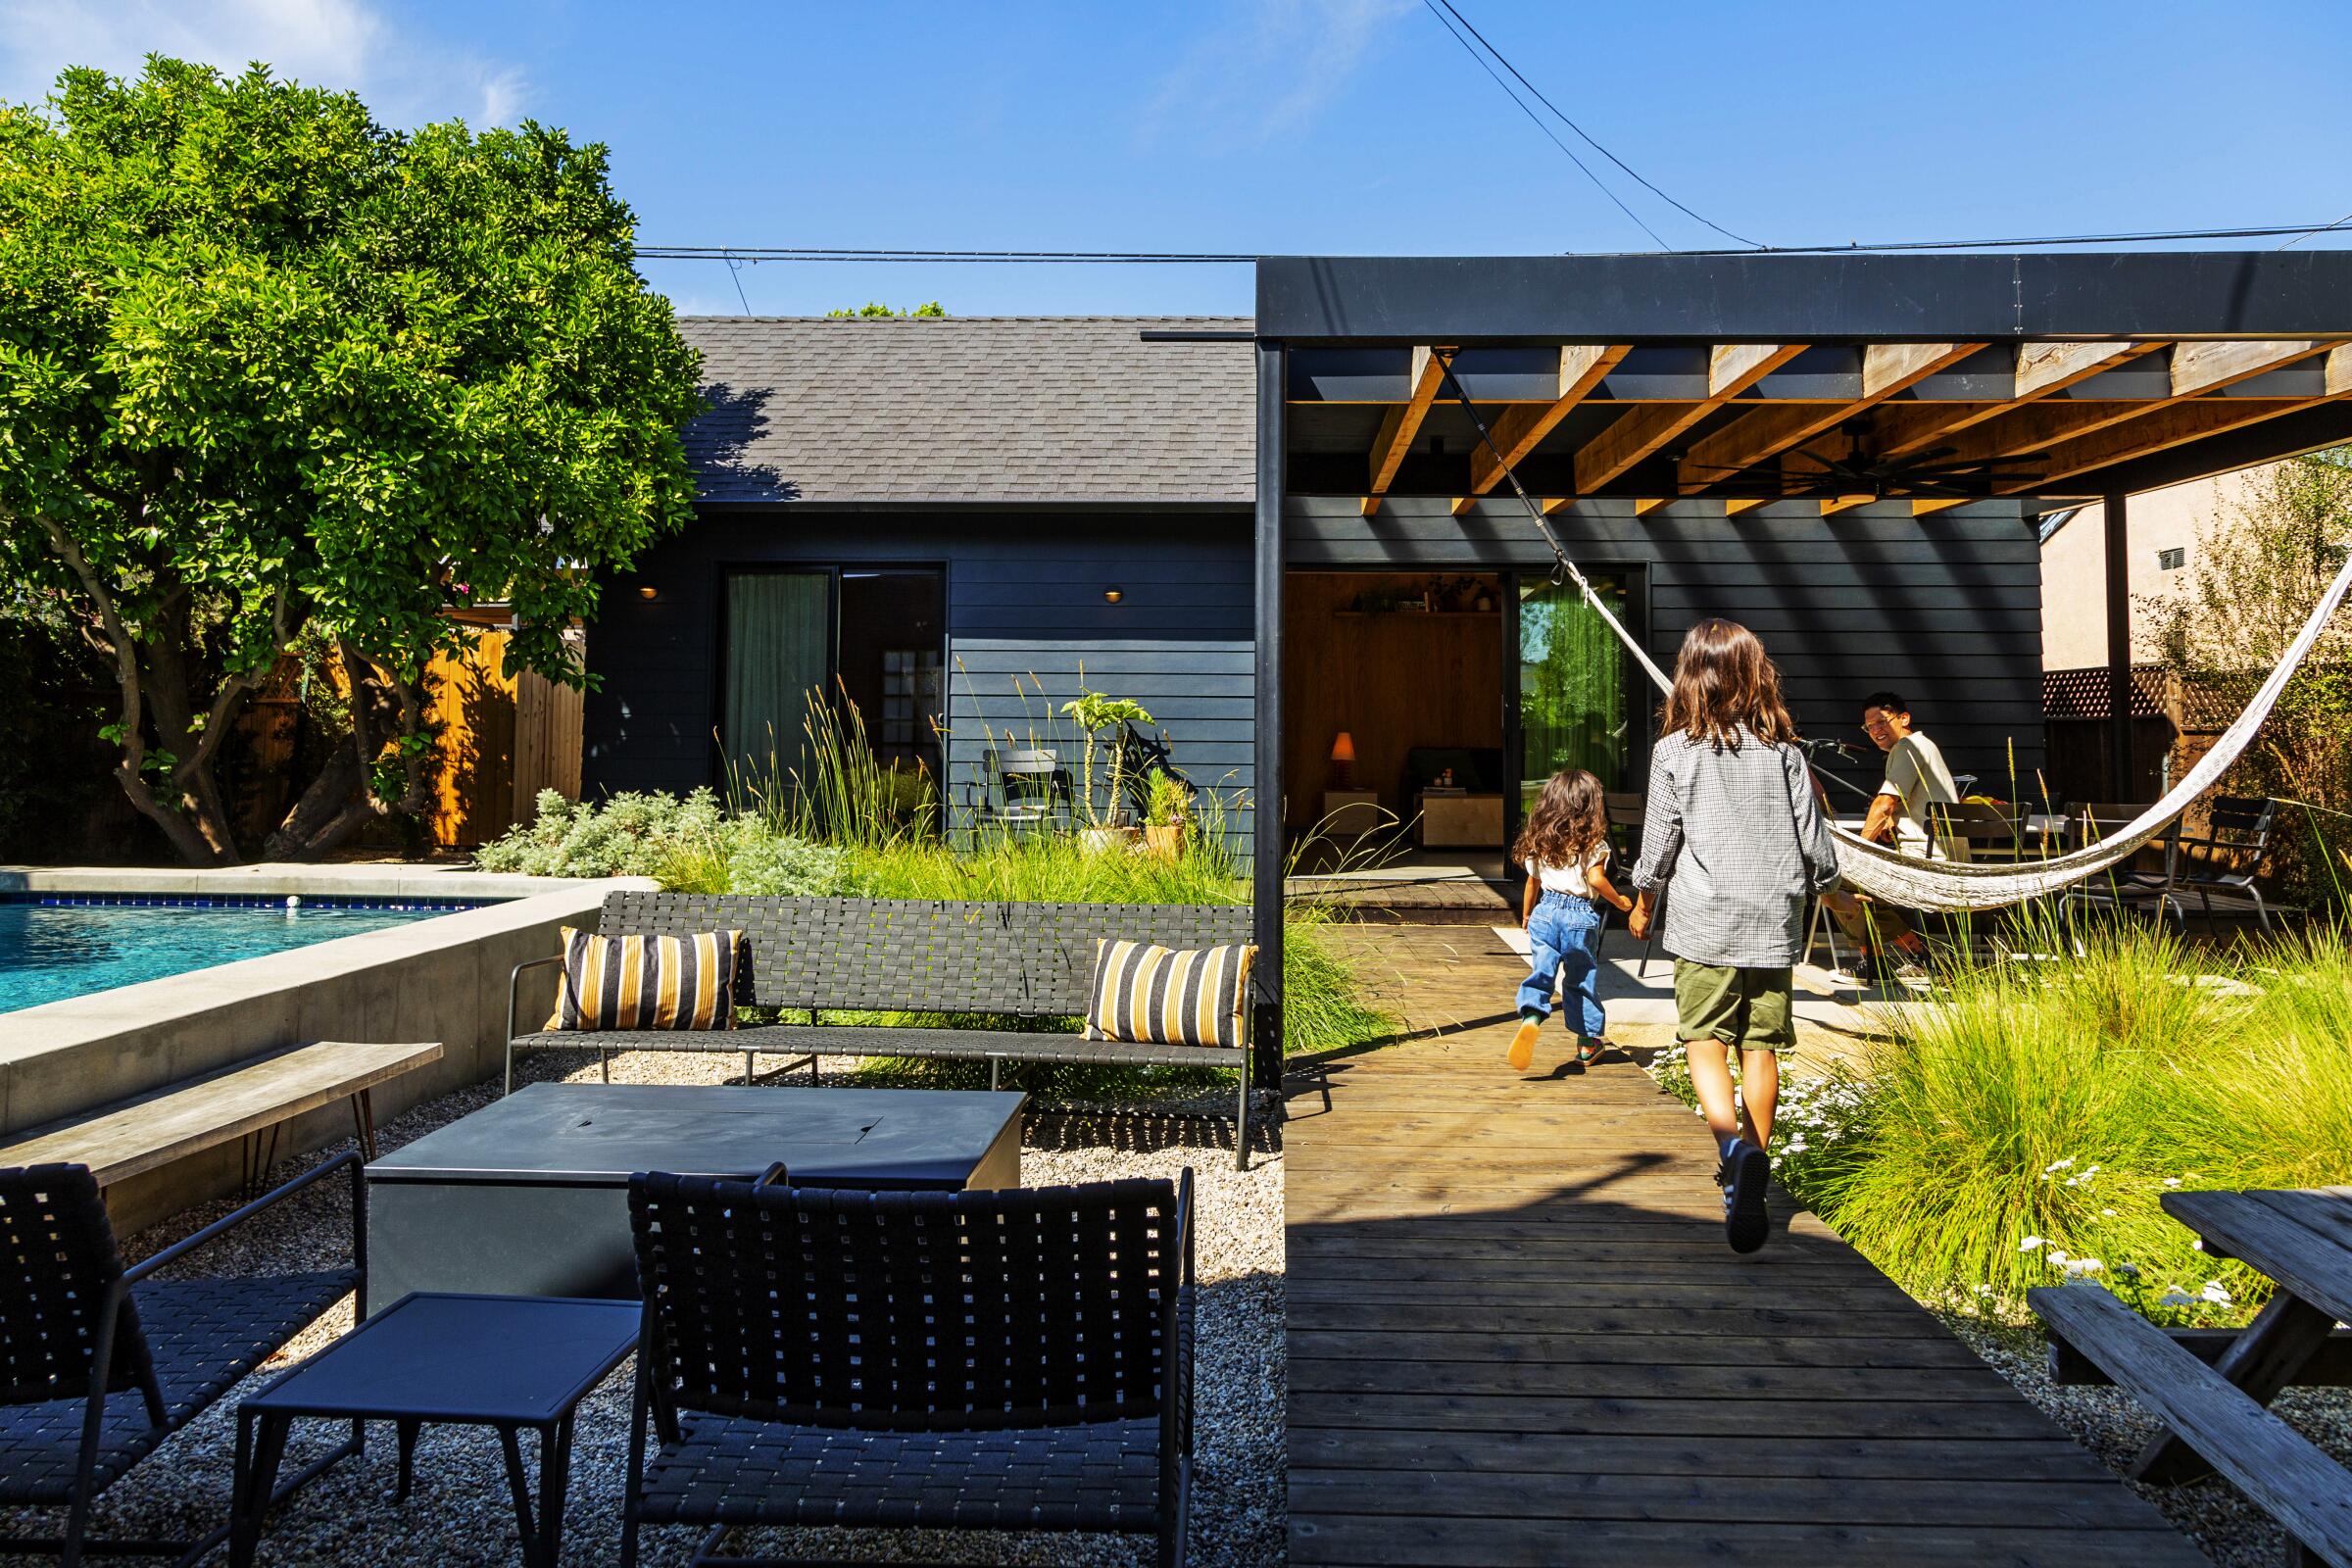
1944,608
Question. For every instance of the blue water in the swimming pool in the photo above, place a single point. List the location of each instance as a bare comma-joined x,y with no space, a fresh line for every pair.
69,946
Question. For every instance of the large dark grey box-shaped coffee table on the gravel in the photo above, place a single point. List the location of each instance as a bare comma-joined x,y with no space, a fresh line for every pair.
530,1193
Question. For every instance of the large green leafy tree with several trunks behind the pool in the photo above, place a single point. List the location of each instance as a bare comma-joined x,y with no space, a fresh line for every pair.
274,370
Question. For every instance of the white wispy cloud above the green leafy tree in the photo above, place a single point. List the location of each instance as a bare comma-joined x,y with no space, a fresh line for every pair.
321,43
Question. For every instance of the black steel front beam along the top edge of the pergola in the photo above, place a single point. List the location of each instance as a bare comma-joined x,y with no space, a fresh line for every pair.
1805,300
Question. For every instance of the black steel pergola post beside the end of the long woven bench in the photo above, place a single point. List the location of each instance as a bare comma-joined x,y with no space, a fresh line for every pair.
1269,847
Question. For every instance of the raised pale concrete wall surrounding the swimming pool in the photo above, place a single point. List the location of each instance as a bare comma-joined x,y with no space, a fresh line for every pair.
436,979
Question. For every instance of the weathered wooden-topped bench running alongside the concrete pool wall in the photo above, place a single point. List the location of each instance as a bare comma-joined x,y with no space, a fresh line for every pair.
248,1101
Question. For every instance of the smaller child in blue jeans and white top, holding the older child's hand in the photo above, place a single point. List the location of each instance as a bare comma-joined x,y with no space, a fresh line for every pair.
1565,850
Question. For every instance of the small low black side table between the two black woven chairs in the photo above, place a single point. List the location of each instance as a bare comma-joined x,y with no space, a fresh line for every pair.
500,1362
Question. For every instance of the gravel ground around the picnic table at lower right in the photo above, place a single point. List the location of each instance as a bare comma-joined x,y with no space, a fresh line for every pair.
2113,1426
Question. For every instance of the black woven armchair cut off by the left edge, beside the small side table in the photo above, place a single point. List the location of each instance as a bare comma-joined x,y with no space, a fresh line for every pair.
105,1362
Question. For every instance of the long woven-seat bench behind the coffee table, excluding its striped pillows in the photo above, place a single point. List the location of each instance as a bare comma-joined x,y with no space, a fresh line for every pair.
895,956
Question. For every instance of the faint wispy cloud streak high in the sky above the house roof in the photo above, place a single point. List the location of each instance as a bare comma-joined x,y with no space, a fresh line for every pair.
1267,69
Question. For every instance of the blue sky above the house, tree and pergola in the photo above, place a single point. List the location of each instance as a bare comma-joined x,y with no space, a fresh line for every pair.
1314,126
